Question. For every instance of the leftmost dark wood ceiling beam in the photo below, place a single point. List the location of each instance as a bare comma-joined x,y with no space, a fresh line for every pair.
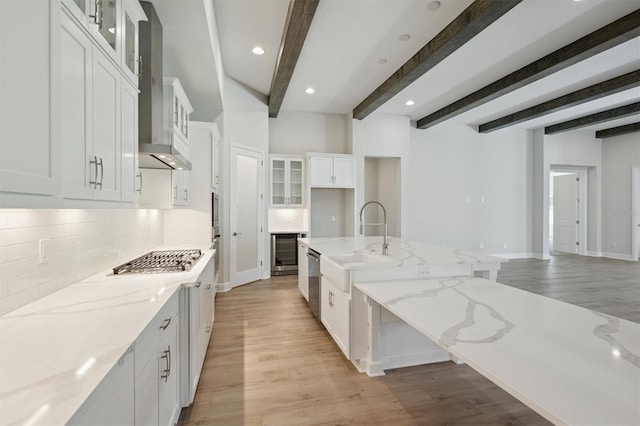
296,27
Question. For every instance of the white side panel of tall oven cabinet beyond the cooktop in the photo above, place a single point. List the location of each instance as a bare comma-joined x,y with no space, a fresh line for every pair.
190,224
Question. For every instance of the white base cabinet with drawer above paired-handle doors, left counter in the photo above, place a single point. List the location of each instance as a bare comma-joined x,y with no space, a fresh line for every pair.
157,399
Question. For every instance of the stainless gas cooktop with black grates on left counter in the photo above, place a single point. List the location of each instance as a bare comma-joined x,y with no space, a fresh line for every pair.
161,261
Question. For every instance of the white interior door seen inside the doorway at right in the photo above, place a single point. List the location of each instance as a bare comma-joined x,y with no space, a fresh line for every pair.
565,213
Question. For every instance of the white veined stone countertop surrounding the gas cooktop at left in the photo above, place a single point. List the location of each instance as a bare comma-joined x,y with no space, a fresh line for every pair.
43,344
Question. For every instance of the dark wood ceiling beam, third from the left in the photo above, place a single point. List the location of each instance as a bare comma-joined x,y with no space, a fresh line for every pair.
613,34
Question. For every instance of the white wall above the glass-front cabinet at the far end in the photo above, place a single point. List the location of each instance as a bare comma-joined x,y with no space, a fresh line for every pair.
301,132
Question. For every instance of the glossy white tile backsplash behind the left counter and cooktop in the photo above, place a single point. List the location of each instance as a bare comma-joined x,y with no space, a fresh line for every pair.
80,244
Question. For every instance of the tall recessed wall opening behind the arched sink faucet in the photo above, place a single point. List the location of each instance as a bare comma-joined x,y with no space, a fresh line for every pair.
382,183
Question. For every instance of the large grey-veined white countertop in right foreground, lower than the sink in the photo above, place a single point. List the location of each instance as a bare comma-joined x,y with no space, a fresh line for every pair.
570,364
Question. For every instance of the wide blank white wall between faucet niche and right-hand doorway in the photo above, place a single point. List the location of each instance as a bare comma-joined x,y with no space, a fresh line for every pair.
468,188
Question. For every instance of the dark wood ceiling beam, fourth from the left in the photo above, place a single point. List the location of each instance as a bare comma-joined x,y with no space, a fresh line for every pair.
596,91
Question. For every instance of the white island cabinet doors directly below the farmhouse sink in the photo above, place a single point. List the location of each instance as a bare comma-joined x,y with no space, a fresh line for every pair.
335,314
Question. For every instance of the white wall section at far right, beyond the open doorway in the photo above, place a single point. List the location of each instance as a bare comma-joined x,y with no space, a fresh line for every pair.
619,155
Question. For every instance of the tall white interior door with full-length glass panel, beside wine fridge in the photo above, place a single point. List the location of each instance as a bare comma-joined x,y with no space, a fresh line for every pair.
245,215
